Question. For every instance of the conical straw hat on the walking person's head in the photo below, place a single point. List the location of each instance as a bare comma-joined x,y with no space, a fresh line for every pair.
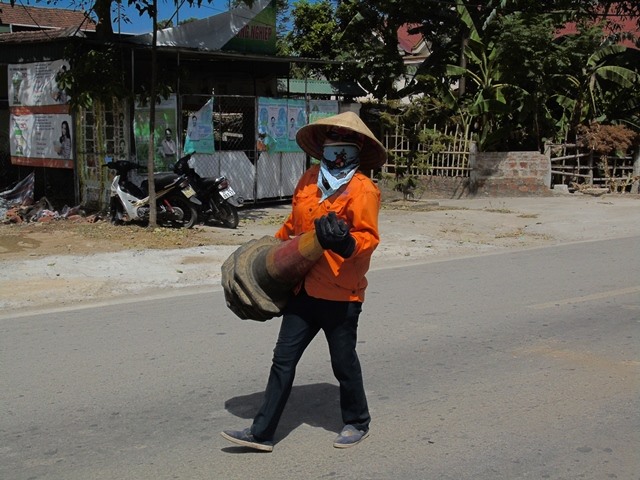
311,138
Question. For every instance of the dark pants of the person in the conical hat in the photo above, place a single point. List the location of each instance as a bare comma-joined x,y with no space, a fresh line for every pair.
302,319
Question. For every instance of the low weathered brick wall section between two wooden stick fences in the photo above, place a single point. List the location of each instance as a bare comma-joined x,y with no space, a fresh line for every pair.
509,174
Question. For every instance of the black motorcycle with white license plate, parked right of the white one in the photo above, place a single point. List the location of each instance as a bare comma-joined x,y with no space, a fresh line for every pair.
214,193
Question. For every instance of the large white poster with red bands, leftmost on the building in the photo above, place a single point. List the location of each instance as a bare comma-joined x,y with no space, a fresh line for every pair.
40,125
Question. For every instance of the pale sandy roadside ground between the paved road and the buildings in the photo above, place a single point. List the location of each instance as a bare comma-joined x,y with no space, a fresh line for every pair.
412,232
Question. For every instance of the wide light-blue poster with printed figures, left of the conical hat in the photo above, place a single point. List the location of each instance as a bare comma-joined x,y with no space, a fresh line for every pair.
278,122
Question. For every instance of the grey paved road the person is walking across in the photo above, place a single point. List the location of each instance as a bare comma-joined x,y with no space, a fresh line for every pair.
508,366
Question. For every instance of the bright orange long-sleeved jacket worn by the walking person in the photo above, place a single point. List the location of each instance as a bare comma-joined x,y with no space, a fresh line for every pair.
358,203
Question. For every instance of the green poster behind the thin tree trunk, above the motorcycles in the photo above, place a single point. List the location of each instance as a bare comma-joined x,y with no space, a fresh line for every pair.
165,113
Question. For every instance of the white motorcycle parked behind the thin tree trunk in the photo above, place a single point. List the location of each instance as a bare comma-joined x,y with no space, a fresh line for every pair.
175,198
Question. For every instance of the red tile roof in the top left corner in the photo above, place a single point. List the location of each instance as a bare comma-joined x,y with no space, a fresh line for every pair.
44,17
